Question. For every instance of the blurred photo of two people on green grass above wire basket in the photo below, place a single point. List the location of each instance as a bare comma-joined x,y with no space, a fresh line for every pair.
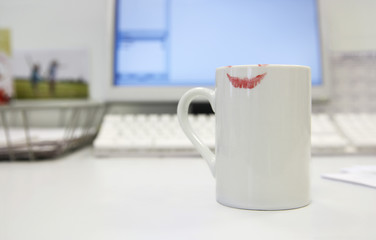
50,74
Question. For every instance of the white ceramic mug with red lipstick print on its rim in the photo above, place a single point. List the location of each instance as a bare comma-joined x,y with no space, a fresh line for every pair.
263,135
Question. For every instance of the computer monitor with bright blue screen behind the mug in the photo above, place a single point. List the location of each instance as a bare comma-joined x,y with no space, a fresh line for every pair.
162,48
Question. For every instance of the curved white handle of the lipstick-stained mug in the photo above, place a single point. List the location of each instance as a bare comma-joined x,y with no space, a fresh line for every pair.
183,107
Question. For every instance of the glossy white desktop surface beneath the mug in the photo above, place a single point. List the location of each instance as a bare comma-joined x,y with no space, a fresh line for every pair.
80,197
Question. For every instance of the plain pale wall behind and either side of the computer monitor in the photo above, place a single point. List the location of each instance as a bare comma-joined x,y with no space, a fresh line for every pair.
63,24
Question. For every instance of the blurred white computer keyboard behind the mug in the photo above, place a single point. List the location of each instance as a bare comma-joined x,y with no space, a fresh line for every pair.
158,135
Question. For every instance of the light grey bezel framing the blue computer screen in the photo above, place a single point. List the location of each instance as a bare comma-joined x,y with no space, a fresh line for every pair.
173,93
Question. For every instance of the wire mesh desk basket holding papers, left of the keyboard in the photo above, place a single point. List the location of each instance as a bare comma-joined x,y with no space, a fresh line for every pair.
31,132
